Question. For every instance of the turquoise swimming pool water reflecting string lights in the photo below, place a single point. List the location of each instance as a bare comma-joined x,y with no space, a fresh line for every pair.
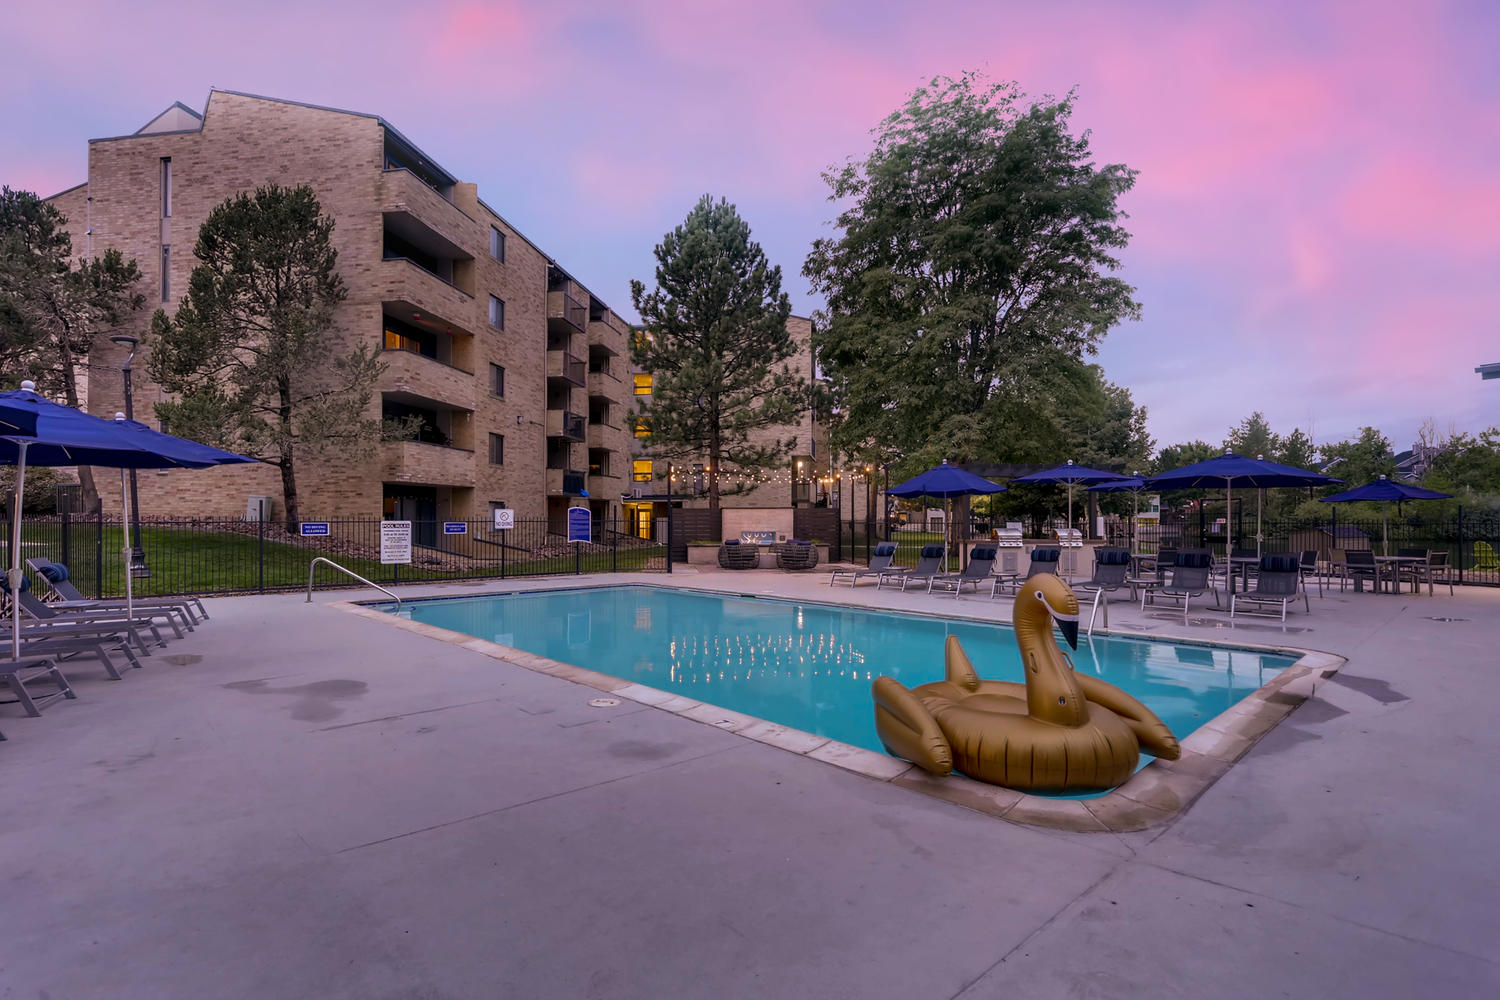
809,666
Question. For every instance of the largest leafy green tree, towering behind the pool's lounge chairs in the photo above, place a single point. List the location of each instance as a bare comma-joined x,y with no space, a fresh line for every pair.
973,257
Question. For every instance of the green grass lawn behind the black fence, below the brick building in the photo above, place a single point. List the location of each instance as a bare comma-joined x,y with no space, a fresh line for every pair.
206,561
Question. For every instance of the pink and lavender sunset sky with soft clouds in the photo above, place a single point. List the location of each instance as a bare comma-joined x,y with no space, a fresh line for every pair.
1316,227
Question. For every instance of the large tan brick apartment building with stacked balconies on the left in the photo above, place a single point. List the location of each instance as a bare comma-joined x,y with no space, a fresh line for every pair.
515,370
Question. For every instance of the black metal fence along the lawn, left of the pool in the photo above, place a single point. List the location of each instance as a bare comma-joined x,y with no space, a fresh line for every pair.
238,557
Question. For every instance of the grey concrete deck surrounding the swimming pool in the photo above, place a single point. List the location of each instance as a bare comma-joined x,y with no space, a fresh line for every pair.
301,803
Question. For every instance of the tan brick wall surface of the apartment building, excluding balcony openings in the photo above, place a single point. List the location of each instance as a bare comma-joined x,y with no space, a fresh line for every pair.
247,143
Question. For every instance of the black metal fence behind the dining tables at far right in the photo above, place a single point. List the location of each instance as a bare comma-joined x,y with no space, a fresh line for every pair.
1472,542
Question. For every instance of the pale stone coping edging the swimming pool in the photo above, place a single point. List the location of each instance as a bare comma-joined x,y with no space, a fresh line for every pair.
1153,797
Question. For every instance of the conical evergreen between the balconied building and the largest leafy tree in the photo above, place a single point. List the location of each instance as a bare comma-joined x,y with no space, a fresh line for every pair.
718,349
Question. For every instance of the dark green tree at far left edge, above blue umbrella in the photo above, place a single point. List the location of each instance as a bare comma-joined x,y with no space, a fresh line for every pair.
55,308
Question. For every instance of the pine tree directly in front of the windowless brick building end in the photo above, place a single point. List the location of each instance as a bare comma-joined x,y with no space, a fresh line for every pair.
251,353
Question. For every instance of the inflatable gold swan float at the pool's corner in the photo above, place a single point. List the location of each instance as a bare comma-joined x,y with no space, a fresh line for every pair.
1058,732
